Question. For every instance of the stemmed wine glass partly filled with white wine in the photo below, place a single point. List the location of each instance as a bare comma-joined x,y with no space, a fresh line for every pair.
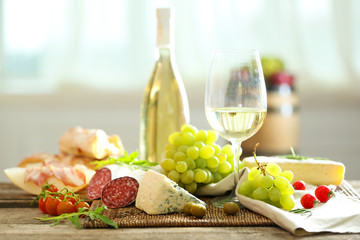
235,101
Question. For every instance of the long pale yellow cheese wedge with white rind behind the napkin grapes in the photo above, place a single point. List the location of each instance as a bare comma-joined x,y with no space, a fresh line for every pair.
317,172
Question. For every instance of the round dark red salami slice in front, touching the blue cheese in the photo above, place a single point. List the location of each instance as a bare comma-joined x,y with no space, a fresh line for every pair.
120,192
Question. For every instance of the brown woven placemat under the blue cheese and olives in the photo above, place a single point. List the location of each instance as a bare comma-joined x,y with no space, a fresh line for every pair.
131,217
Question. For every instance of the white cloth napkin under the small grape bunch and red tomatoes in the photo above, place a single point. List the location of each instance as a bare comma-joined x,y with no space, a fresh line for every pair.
340,214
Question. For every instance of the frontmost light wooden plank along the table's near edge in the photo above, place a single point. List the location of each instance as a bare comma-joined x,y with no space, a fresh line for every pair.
61,232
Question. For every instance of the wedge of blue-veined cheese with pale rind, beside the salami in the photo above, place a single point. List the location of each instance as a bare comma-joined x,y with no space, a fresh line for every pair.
158,194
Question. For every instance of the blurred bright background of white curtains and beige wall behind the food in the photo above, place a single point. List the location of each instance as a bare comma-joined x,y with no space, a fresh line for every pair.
66,63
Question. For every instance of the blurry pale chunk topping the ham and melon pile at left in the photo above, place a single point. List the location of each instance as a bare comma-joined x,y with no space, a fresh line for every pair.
93,143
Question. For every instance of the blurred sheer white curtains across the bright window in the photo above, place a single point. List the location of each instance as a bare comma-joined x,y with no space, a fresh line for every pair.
108,45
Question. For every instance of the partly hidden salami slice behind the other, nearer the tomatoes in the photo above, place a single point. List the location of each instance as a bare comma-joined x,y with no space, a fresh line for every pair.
97,183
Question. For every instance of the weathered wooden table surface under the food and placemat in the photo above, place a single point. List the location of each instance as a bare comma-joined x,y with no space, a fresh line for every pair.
18,223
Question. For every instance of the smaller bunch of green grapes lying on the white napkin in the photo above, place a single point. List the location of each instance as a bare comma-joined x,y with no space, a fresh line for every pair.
270,185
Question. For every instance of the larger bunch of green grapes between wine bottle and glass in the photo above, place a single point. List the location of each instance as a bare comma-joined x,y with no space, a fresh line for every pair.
192,158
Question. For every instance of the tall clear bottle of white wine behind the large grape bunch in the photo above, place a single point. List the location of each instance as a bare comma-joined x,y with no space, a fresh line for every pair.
165,106
